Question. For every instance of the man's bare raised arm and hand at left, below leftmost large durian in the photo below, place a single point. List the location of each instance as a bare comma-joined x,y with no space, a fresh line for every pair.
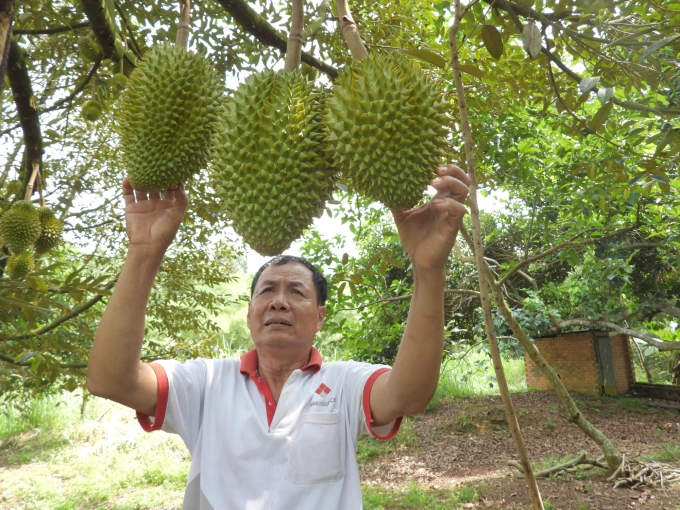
115,370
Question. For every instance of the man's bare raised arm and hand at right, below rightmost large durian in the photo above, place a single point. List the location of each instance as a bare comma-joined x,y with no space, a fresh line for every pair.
428,234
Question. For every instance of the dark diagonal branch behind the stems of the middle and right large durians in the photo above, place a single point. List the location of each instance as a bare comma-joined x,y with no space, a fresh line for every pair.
259,27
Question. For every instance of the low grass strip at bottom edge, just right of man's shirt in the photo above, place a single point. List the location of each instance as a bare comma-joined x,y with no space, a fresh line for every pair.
416,497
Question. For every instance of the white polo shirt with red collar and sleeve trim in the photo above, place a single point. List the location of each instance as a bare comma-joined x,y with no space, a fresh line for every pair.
248,452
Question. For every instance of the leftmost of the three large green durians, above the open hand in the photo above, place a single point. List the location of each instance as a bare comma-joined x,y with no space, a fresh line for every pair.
168,115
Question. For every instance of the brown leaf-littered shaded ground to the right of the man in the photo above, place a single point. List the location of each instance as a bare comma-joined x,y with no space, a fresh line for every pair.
467,442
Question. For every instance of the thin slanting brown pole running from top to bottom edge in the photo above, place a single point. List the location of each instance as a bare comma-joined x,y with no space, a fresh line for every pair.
478,252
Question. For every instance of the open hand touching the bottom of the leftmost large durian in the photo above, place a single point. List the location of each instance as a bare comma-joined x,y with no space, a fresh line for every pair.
151,220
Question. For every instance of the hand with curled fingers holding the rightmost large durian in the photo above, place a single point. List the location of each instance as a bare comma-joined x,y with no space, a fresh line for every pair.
429,232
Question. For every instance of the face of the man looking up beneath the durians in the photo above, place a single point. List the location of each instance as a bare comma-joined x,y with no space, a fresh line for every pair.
283,310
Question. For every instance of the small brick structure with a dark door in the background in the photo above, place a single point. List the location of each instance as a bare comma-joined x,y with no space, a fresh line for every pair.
590,361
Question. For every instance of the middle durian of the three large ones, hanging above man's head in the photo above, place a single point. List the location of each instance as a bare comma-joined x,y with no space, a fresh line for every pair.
269,168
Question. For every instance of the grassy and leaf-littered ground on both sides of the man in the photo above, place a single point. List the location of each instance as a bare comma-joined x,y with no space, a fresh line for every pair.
453,456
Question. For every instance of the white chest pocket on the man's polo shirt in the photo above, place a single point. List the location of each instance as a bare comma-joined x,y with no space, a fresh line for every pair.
317,454
